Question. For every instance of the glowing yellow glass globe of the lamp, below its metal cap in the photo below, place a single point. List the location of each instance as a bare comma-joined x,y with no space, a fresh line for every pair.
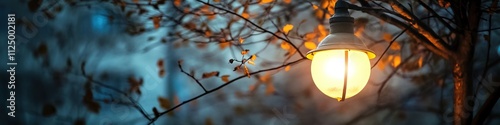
328,68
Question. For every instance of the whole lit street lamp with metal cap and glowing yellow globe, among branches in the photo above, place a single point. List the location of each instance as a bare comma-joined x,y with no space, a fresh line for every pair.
340,64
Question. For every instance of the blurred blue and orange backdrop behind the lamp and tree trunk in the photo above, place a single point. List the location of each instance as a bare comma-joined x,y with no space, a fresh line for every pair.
117,61
